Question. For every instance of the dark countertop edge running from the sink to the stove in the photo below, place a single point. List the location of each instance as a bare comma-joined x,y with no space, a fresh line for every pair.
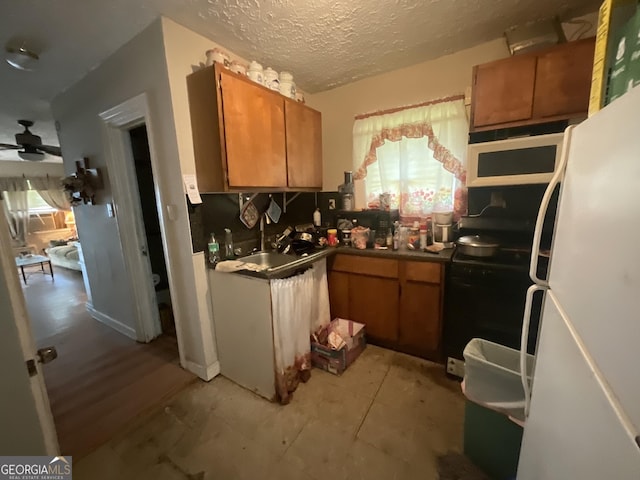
304,262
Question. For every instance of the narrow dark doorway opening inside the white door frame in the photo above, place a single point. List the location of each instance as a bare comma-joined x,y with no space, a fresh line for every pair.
153,234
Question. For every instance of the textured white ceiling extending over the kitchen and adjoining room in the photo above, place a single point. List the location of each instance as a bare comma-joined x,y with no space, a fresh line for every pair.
324,43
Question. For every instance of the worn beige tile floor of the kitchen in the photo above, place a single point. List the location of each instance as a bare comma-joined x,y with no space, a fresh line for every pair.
388,417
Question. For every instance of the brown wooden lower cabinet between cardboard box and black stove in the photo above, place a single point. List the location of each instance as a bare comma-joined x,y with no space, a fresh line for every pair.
400,302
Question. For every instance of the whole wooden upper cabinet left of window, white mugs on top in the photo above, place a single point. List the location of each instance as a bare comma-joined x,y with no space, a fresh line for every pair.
242,139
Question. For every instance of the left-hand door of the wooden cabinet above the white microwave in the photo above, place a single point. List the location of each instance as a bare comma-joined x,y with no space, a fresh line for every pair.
503,91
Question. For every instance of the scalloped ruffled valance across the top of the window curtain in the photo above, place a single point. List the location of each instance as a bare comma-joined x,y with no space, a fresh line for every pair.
443,122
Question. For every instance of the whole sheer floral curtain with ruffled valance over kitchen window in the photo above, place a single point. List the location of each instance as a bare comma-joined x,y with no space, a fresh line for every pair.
416,154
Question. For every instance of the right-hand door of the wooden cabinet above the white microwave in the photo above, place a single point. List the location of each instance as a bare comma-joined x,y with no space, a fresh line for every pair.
563,80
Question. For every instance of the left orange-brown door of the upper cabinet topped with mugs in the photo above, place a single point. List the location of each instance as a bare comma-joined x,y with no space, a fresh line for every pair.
254,134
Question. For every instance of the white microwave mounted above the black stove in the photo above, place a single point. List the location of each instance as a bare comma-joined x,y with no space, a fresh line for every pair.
516,161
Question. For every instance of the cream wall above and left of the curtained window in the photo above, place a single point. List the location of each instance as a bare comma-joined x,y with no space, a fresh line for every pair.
437,78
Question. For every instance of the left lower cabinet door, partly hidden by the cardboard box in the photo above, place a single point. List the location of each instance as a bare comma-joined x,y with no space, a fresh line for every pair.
374,302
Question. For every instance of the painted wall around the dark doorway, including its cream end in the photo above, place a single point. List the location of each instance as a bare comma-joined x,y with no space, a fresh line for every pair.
139,66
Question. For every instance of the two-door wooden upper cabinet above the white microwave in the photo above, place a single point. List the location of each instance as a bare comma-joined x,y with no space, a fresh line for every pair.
543,86
